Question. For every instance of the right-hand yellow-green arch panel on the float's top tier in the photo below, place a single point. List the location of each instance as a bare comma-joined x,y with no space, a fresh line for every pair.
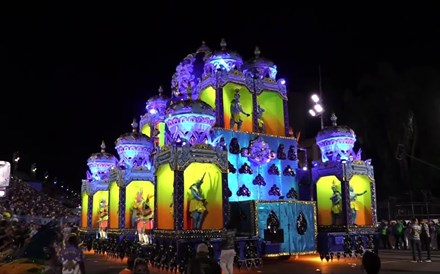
273,115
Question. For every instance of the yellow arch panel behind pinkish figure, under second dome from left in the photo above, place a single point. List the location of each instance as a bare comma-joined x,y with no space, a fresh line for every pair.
137,192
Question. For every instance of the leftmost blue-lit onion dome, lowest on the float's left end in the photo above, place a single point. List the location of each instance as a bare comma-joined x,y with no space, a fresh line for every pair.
100,164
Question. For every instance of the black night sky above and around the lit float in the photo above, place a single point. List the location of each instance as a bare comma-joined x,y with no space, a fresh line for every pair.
72,76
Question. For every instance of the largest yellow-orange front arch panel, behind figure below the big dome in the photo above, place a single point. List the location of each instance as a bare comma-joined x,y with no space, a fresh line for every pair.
211,190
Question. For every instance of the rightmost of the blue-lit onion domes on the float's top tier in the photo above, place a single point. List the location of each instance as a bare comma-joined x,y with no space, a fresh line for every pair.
260,66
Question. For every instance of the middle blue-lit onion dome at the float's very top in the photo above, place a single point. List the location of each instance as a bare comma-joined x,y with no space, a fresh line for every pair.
223,60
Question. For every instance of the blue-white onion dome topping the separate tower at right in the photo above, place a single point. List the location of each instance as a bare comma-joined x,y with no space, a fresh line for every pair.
336,142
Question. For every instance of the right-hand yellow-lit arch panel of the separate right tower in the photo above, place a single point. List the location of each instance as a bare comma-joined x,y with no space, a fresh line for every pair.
361,203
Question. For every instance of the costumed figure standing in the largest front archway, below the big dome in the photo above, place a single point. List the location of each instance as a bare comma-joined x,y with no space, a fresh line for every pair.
197,207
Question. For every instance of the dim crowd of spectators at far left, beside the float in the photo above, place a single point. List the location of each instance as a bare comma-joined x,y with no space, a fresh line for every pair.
31,229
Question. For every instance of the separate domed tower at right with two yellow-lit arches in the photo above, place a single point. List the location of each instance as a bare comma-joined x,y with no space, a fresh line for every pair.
345,194
